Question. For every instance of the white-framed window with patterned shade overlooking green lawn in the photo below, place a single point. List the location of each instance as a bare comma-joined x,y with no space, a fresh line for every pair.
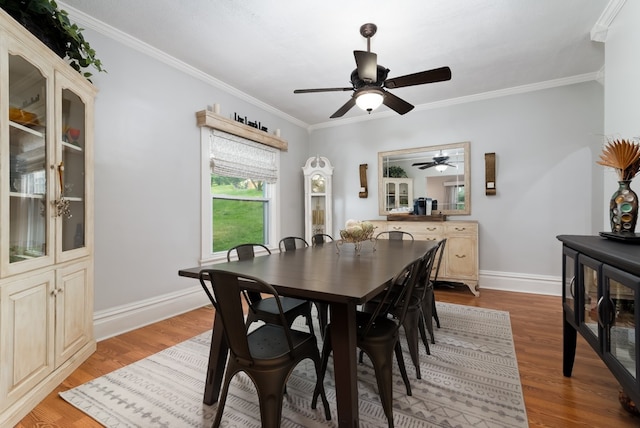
239,192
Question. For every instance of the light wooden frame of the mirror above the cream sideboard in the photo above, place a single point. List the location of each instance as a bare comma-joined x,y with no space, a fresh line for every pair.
421,150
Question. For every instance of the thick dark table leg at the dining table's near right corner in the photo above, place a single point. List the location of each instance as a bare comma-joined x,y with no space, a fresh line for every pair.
343,342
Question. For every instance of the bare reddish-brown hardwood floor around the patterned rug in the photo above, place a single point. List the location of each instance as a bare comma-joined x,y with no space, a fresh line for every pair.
588,399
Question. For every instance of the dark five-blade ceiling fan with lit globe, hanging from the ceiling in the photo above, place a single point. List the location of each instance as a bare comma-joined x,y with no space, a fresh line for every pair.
369,81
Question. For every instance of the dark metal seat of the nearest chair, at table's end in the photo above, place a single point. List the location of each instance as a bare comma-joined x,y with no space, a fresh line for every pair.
269,342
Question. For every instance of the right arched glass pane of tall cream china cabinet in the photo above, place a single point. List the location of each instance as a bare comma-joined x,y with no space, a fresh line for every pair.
70,187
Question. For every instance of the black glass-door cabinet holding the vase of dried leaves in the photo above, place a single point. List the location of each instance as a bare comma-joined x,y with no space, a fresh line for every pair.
601,289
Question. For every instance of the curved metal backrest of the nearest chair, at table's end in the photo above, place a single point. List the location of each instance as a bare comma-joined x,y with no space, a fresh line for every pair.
226,289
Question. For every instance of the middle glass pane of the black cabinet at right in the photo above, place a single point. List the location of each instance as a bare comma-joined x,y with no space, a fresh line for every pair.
591,303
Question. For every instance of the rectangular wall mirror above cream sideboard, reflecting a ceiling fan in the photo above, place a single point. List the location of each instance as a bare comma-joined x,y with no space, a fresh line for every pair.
439,173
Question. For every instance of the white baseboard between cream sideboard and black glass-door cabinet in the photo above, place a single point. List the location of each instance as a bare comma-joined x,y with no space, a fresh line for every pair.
520,283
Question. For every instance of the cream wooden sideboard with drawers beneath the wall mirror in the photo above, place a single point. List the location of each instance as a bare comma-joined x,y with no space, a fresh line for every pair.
460,259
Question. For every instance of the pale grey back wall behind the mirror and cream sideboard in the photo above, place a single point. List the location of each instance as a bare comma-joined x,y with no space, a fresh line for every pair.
546,144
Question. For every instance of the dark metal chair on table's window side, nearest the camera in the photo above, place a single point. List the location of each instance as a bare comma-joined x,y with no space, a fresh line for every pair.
266,309
